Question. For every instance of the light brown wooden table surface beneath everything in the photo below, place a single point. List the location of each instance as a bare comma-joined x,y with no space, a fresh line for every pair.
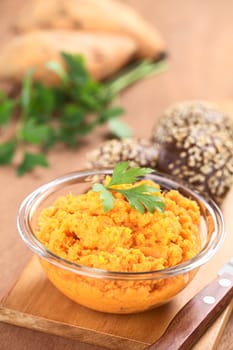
199,37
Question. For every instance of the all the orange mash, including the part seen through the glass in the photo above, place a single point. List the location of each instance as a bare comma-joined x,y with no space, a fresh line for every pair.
76,228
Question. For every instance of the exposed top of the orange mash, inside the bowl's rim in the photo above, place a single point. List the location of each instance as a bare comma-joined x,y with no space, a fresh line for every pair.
76,228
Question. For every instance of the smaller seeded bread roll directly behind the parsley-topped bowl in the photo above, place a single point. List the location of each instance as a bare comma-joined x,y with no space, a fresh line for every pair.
138,152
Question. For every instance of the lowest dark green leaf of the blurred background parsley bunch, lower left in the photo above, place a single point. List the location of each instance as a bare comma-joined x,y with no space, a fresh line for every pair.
30,161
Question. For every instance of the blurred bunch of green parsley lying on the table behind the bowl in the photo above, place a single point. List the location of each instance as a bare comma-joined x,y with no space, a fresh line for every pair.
64,113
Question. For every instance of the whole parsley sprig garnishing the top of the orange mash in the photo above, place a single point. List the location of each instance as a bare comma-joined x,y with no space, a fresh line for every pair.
140,197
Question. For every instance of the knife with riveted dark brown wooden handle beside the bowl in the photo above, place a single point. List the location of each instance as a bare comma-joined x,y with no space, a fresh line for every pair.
198,314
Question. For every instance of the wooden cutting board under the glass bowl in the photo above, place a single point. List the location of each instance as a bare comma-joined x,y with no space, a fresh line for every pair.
35,303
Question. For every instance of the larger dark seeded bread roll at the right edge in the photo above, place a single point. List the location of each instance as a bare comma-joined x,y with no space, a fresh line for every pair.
196,146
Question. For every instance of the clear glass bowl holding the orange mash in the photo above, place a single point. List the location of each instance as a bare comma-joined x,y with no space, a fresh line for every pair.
108,291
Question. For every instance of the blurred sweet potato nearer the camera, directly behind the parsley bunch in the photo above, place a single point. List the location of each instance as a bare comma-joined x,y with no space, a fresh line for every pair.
104,54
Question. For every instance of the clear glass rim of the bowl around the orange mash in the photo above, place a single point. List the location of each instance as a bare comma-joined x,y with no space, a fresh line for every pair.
36,197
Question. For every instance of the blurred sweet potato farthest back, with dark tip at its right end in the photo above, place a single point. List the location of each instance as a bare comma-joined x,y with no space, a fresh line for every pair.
108,16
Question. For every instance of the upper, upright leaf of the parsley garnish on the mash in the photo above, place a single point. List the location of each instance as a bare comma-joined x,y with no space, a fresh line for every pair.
122,174
